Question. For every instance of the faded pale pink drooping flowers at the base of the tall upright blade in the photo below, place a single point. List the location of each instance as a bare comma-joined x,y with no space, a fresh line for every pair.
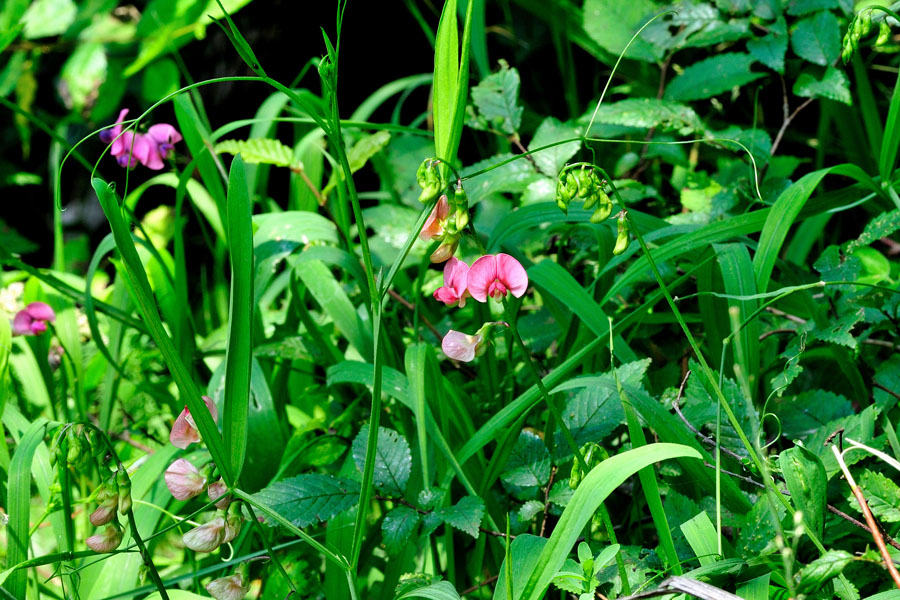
185,481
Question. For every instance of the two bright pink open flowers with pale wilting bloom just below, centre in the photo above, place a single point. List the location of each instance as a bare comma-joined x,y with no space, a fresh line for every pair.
492,275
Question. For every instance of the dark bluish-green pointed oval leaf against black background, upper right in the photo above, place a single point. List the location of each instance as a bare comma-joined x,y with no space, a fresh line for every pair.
711,76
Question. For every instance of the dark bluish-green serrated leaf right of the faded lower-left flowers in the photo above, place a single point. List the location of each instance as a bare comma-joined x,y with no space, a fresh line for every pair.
310,498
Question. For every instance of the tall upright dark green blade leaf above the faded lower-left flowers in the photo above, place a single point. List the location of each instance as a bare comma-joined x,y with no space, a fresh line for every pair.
238,344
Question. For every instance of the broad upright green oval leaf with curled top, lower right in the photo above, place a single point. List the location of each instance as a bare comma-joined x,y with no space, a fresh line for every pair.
804,475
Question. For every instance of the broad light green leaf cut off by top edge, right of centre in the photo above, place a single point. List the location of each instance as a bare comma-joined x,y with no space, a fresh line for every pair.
612,23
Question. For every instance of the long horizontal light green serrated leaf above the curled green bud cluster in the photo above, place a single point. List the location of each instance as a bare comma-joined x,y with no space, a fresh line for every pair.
647,113
